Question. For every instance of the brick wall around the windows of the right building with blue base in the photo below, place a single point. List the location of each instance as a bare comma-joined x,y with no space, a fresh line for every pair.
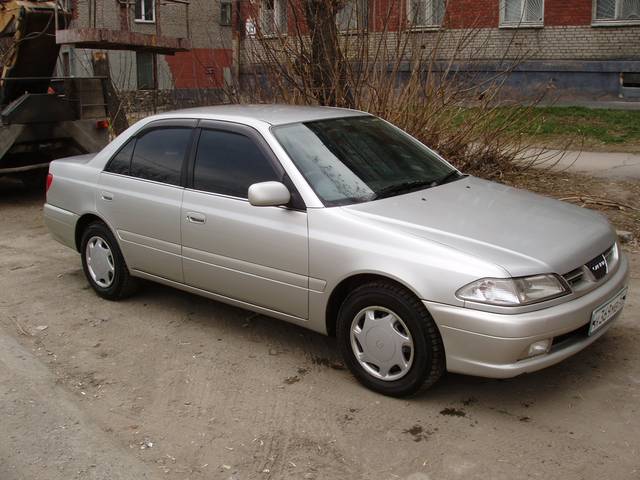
567,52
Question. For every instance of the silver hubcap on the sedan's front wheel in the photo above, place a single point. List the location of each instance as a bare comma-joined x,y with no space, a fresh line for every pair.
382,343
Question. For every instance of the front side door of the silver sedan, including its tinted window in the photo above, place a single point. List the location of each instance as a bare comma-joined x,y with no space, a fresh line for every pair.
258,255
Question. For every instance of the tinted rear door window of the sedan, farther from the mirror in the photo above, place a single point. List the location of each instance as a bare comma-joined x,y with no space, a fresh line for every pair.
160,153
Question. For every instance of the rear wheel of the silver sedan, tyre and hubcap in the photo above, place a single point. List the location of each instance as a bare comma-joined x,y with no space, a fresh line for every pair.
104,265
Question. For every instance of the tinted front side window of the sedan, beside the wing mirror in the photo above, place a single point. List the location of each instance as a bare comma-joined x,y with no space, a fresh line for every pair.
229,163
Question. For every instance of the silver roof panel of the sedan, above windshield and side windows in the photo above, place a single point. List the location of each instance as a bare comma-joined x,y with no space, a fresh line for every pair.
272,114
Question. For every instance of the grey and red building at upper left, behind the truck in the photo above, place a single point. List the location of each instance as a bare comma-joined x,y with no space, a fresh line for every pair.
190,40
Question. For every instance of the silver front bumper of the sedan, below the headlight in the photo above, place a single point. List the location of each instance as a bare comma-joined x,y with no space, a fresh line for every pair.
495,345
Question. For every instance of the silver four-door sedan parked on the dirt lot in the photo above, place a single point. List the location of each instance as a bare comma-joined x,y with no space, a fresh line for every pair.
340,222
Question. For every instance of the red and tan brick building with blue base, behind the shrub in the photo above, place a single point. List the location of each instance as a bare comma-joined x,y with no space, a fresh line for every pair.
582,48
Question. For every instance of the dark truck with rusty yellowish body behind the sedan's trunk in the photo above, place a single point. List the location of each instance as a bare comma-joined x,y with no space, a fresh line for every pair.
43,117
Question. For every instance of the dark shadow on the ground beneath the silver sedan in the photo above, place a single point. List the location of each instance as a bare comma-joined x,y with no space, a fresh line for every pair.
559,383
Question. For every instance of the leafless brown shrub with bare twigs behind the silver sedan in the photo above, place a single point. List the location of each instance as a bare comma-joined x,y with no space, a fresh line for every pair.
407,76
